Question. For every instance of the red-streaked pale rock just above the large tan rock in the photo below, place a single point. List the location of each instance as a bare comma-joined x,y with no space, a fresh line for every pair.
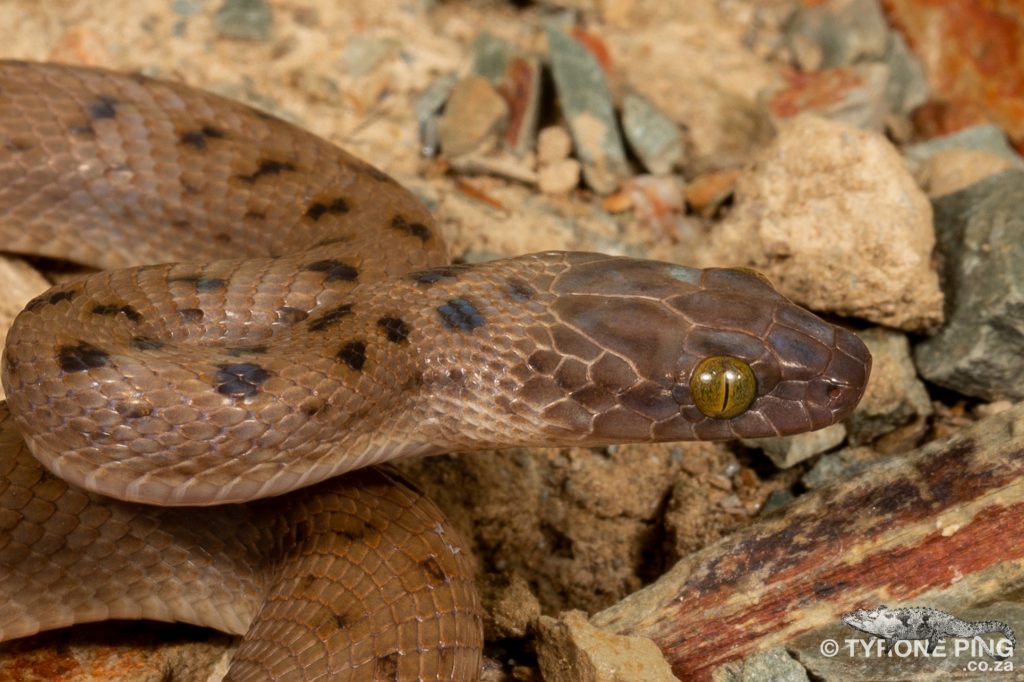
855,95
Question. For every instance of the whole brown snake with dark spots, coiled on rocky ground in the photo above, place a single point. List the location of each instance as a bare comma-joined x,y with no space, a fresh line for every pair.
331,335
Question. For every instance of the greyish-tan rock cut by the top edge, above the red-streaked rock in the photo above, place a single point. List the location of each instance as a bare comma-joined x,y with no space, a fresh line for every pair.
844,32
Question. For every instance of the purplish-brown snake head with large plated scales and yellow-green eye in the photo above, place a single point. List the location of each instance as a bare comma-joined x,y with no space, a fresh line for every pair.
652,352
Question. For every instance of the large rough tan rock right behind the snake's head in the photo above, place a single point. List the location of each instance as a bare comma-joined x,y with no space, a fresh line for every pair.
831,215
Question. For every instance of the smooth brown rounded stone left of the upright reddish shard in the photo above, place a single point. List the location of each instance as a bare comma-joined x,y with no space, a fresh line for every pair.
473,117
